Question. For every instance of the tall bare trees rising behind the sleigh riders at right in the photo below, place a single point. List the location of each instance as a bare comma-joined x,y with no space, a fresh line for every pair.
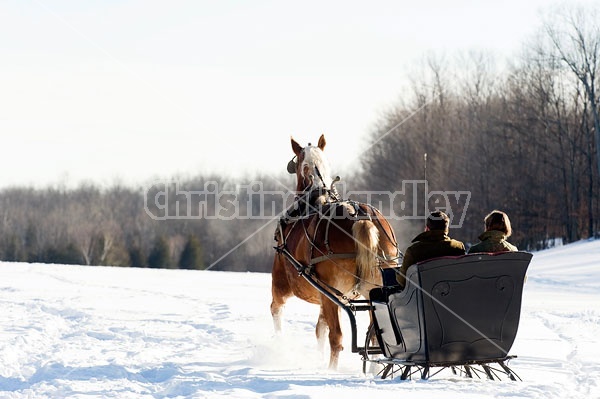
524,138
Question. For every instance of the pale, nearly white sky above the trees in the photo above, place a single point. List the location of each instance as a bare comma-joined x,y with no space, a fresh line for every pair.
128,91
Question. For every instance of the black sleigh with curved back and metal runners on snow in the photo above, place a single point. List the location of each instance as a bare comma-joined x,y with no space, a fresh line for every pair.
460,313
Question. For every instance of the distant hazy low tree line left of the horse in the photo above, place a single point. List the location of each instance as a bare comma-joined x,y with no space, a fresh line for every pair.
117,226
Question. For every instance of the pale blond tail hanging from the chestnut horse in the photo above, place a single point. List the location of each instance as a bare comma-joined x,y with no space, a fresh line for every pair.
366,237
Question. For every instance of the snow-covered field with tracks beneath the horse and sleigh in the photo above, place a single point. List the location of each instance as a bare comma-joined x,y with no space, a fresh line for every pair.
100,332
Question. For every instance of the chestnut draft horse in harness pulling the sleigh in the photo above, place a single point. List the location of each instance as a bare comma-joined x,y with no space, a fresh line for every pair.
342,245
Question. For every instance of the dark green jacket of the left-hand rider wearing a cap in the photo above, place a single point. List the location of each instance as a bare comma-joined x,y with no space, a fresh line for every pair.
427,245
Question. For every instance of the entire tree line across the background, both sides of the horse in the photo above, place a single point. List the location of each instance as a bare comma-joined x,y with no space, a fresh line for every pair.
523,137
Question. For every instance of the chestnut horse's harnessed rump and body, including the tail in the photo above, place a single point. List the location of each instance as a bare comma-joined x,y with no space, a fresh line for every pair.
343,244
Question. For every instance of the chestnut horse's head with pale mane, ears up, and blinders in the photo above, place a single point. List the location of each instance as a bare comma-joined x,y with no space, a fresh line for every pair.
310,166
